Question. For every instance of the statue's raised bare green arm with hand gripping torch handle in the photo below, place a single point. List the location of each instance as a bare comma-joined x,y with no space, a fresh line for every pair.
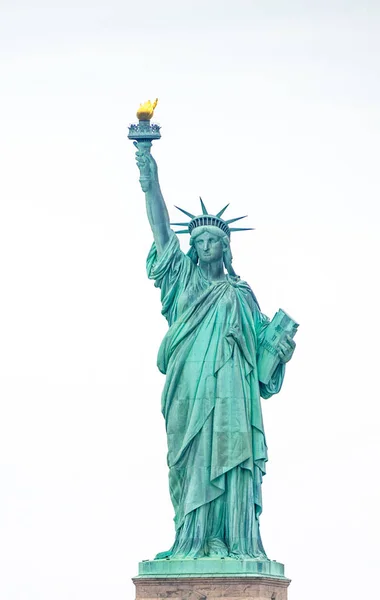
155,204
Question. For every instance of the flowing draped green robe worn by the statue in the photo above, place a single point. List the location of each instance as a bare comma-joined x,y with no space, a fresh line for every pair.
211,405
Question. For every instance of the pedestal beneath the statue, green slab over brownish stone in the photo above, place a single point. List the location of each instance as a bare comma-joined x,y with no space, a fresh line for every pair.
210,579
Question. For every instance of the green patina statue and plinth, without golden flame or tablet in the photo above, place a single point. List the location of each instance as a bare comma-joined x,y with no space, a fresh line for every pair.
211,400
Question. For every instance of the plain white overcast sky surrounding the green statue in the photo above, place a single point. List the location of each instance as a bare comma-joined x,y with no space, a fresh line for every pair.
273,106
